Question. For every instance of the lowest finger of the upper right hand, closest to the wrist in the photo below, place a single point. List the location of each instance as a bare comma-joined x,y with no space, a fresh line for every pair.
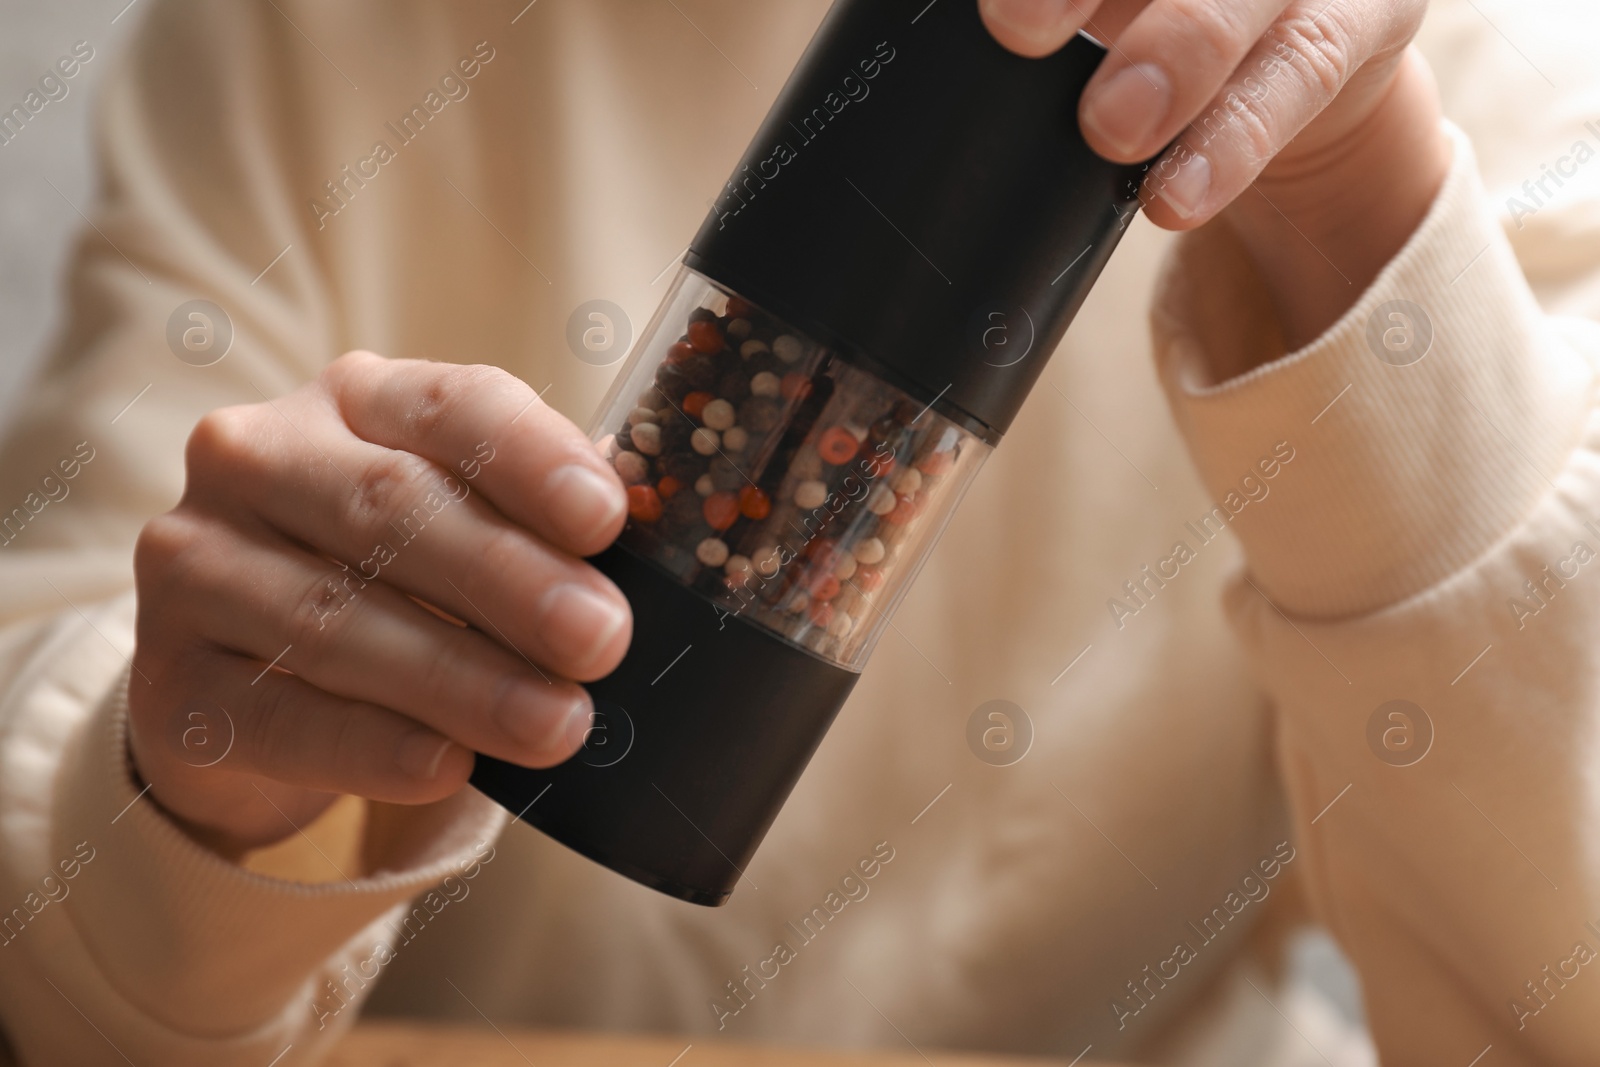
1292,74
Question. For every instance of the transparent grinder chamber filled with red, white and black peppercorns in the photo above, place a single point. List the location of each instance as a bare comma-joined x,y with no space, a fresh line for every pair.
790,489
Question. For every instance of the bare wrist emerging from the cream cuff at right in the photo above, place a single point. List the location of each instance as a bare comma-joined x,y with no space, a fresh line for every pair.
1322,222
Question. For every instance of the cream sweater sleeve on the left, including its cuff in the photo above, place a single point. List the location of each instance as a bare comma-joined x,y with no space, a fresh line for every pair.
121,940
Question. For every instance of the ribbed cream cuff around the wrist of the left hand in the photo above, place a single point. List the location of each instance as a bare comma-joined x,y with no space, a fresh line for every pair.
204,945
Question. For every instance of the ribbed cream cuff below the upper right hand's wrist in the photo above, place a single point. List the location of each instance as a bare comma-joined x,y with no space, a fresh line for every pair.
1402,471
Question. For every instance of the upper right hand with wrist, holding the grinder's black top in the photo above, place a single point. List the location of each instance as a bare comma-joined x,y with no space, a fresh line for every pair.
1310,122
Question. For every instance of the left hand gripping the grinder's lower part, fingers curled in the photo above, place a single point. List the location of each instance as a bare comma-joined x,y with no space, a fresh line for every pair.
292,628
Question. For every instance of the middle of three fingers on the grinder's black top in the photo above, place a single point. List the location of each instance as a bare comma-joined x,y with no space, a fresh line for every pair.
1167,65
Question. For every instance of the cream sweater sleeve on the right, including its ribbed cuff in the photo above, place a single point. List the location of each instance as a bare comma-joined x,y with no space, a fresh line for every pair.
1418,497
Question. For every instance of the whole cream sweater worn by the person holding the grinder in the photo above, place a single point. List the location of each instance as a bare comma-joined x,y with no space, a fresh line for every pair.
1209,719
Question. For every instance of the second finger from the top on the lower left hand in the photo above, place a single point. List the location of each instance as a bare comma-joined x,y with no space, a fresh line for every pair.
398,519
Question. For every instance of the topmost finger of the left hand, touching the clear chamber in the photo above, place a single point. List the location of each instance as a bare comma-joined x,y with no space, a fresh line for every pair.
490,430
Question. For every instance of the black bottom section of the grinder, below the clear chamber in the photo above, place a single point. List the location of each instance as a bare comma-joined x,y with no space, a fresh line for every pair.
698,740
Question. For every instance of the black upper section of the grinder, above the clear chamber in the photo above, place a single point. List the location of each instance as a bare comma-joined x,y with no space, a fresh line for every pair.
922,199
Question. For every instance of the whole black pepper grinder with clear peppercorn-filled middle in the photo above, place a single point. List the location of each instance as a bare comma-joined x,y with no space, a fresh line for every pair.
852,332
